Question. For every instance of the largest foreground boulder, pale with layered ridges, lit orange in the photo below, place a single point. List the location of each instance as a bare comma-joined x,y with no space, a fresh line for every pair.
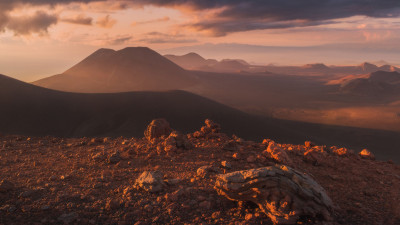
284,194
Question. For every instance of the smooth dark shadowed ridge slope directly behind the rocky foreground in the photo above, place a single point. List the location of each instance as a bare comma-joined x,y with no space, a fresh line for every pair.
31,110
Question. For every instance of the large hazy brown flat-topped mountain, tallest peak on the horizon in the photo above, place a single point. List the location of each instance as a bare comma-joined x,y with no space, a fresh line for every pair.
129,69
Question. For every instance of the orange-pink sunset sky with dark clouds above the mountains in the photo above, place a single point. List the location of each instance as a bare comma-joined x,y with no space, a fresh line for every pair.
39,38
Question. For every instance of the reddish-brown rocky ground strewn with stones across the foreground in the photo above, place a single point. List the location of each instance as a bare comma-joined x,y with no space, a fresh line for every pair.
170,178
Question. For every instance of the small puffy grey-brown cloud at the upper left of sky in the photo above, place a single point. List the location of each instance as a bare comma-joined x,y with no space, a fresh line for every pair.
27,25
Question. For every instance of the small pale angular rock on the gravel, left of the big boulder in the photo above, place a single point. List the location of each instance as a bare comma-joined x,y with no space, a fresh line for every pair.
151,181
